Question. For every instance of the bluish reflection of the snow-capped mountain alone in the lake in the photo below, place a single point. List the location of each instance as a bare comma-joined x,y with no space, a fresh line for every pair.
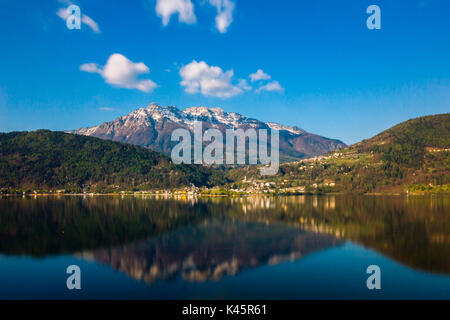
211,250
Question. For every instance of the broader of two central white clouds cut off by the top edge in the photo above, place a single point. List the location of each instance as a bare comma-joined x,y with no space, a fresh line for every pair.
184,8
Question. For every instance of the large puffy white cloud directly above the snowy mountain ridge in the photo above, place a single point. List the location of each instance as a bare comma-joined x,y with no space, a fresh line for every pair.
199,77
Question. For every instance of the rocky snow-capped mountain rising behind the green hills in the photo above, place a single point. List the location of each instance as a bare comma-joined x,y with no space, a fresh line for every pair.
152,127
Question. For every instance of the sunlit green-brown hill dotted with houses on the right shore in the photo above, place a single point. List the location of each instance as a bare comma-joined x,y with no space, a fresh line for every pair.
413,155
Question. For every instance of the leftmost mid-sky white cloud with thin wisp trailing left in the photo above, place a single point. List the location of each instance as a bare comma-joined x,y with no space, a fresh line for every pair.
119,71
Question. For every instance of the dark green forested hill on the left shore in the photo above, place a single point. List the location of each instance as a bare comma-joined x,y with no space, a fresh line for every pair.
48,160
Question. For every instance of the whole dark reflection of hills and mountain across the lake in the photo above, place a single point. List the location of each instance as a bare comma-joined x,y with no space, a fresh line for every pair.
209,238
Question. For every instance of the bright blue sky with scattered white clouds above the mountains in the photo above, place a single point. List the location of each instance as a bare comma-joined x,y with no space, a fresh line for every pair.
329,74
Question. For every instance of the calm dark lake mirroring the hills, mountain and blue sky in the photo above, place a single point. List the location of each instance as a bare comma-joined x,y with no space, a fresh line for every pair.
296,247
